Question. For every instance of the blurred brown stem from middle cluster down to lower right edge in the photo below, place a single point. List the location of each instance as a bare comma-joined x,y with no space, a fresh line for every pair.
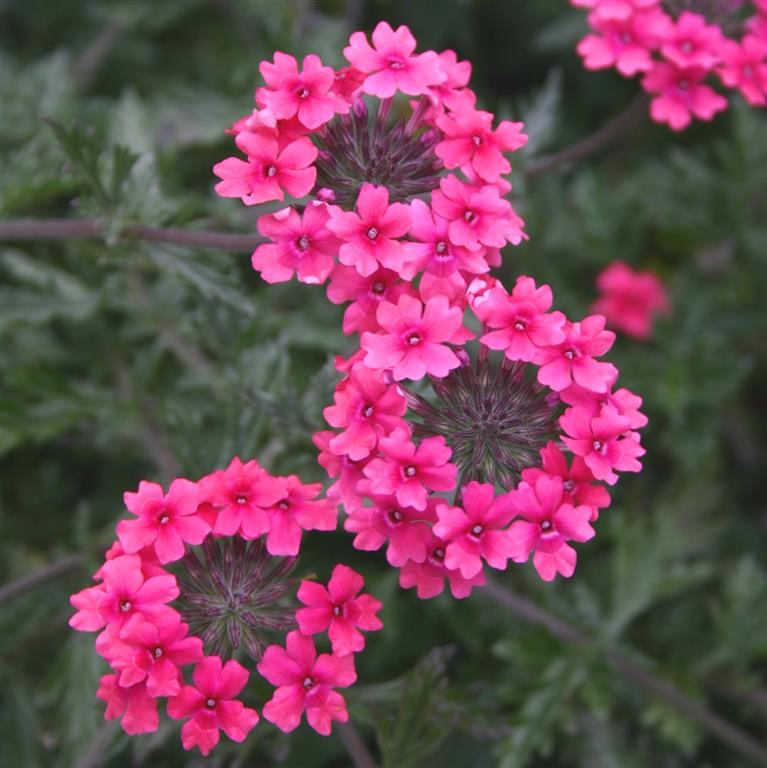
721,728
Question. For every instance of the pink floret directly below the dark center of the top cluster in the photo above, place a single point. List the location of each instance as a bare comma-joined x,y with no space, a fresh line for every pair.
369,235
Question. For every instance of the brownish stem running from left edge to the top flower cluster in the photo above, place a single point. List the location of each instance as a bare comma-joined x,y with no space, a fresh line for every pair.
91,229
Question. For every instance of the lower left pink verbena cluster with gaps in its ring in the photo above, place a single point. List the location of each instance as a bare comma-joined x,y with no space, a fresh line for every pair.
202,573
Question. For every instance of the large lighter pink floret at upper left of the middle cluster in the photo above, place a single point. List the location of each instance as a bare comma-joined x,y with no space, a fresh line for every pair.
412,339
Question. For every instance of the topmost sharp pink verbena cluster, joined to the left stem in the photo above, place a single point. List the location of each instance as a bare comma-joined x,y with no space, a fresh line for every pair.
398,191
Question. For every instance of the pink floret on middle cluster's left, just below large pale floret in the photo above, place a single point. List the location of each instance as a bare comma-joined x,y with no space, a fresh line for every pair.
366,408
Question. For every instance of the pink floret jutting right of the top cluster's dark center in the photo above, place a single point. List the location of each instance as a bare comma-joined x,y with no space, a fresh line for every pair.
471,140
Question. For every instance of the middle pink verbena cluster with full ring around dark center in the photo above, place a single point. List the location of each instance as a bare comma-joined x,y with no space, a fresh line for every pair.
418,416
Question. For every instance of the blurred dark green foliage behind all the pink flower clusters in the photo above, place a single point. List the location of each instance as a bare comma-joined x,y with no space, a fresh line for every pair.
125,359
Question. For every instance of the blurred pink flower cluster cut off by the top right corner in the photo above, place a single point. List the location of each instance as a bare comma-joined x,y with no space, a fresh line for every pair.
676,45
